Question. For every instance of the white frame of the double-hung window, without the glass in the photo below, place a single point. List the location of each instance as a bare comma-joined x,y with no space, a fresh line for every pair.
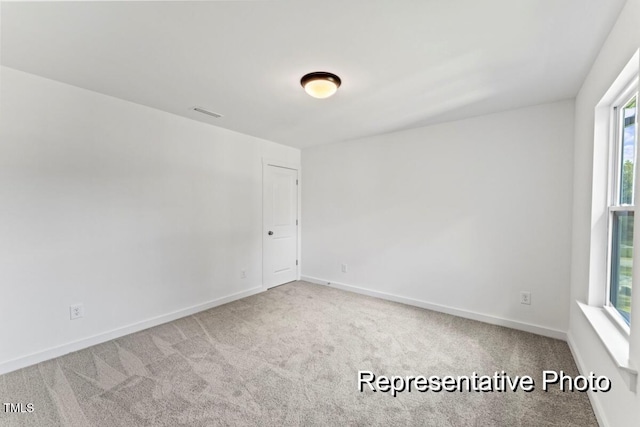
614,177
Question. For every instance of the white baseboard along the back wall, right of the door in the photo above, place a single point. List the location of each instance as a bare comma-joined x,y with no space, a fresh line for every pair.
522,326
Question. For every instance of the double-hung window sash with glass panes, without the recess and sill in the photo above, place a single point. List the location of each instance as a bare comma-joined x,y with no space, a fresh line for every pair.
621,203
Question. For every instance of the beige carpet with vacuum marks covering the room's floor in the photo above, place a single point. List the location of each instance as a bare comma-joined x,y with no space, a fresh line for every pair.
290,356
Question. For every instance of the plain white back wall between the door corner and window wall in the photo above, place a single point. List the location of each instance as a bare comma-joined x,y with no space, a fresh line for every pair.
463,215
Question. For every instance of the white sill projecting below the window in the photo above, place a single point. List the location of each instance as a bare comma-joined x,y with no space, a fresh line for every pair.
614,340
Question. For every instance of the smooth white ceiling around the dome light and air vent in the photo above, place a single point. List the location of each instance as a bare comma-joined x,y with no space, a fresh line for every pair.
403,63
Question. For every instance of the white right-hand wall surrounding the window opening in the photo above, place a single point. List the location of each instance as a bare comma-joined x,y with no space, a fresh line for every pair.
619,407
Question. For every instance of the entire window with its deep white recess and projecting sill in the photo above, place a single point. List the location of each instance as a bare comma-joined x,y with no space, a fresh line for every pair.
611,248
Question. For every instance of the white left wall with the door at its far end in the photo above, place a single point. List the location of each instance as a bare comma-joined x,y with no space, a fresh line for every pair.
134,212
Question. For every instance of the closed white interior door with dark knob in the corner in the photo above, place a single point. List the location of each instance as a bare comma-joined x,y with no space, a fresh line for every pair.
280,228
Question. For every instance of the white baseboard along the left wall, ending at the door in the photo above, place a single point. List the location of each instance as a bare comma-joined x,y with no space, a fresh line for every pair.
50,353
